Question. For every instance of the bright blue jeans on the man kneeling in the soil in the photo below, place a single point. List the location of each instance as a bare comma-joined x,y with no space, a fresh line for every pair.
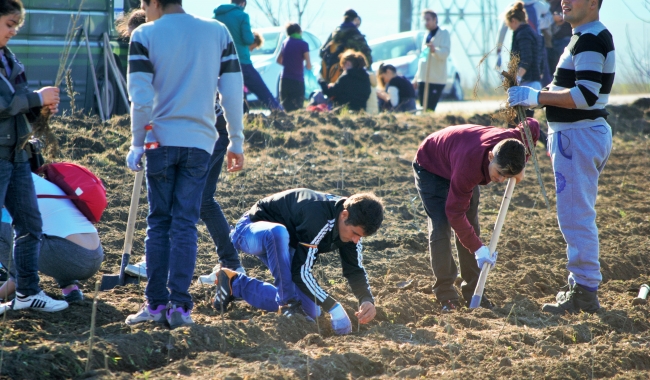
269,242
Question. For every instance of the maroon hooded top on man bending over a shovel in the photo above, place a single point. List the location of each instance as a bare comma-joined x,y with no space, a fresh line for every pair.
460,155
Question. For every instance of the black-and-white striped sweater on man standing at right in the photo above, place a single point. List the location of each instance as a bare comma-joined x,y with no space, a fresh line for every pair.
587,68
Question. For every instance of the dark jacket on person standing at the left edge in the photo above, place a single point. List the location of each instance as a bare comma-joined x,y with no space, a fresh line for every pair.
18,107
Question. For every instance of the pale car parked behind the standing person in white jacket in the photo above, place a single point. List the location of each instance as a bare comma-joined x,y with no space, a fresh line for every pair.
403,50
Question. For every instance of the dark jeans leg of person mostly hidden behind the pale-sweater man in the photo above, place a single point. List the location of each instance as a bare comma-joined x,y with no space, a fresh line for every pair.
211,212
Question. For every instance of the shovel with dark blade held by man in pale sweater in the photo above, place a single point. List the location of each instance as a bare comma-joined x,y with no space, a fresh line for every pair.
110,281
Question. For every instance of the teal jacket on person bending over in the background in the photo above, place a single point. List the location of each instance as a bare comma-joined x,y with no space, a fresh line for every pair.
239,25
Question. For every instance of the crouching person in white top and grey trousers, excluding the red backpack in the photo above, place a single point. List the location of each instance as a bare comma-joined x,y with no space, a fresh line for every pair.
70,248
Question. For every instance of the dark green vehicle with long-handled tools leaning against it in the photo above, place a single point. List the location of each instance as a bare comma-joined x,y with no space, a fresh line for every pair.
42,39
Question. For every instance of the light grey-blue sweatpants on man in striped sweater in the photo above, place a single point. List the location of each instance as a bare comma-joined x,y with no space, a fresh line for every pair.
579,156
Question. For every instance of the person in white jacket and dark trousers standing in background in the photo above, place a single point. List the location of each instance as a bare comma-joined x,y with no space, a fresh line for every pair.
432,68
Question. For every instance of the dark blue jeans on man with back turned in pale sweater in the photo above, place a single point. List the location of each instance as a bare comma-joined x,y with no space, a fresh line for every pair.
175,180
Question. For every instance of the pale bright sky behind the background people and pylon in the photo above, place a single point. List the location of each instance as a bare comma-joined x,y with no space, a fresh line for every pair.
381,17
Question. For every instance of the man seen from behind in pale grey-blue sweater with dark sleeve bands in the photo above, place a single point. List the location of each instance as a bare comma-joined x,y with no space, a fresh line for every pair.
177,64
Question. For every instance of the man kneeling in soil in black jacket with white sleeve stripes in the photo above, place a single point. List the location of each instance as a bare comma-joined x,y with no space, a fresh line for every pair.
287,231
